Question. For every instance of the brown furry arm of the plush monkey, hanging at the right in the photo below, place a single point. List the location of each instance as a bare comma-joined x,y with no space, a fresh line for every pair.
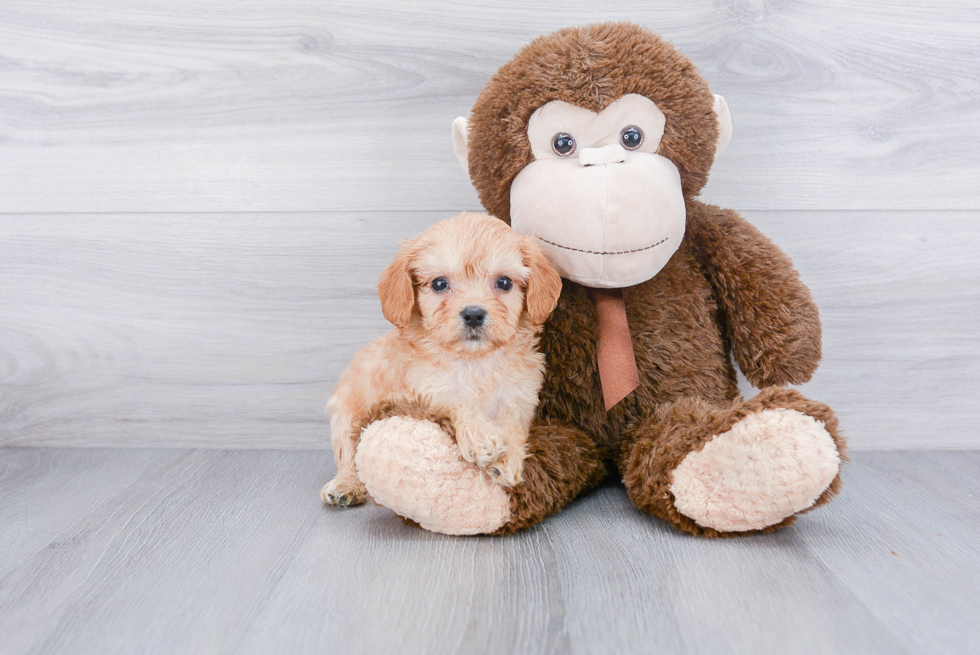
769,316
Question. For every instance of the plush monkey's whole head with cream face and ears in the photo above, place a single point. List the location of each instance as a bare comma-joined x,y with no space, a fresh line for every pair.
592,139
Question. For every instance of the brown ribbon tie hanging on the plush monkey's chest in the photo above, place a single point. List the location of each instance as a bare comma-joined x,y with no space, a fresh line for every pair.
614,346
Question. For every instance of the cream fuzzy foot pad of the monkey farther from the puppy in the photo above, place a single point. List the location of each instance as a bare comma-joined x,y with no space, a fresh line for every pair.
765,468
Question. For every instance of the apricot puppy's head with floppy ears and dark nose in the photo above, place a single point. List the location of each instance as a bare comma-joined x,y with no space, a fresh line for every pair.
471,283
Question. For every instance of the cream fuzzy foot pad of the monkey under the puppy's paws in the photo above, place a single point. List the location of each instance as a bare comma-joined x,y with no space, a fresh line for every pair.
415,469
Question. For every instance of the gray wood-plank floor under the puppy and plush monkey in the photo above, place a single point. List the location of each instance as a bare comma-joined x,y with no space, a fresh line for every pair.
165,551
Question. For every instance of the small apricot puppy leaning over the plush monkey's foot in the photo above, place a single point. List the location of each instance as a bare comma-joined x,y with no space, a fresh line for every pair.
467,297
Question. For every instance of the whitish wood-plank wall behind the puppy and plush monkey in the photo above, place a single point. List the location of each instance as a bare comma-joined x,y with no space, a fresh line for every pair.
197,196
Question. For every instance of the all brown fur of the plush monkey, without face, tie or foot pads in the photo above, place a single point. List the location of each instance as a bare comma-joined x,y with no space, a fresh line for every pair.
727,291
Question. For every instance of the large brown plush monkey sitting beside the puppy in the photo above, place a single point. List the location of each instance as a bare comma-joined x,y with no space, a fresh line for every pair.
597,140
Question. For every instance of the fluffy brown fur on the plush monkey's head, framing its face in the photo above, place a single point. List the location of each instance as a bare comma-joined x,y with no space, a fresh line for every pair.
591,67
